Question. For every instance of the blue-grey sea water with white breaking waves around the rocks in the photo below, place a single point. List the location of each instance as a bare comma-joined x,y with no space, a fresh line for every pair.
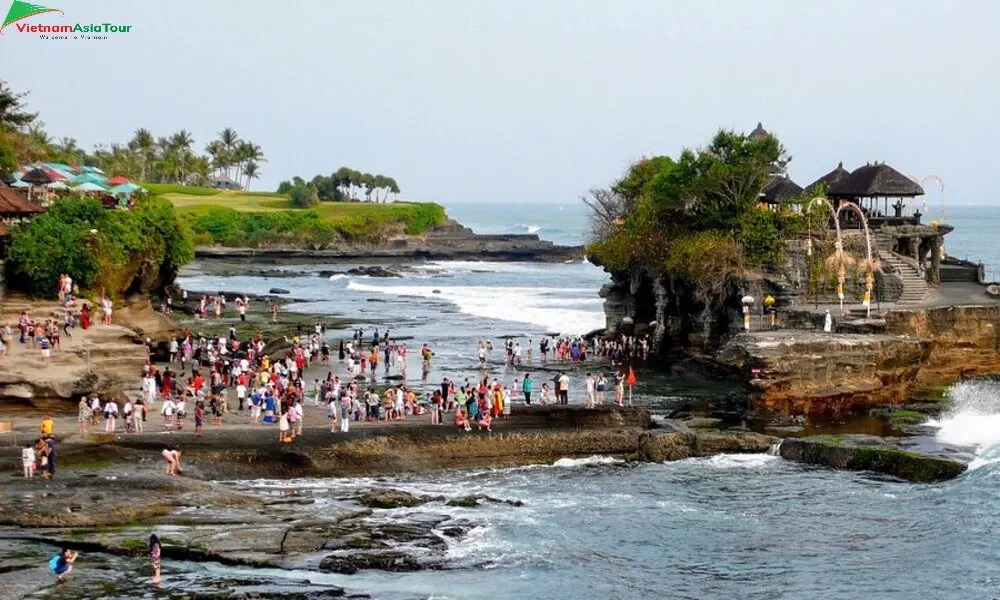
725,527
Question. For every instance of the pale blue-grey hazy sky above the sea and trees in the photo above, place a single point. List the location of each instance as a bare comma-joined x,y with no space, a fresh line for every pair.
519,101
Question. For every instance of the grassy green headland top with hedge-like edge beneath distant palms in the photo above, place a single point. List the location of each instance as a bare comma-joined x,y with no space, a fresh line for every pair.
237,219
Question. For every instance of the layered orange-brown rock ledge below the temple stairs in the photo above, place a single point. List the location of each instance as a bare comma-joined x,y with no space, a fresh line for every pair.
797,372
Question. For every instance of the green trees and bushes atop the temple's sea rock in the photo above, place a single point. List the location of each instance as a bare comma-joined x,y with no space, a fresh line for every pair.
697,216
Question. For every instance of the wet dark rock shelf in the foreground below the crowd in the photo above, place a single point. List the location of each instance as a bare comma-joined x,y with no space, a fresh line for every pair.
238,504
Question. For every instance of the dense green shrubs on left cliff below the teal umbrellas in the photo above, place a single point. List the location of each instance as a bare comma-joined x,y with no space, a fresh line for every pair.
121,251
